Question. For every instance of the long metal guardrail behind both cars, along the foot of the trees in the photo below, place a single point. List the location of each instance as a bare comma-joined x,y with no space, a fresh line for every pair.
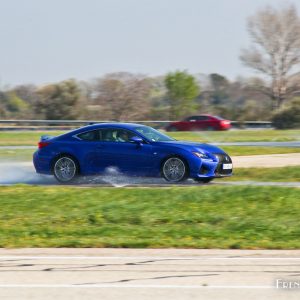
68,124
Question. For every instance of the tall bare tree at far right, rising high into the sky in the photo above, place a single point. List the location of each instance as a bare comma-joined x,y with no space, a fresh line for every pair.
276,53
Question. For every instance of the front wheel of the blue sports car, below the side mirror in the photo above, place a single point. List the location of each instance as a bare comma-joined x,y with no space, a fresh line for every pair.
174,169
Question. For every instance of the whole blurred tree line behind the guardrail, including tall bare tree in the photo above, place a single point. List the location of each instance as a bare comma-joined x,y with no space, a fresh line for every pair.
274,55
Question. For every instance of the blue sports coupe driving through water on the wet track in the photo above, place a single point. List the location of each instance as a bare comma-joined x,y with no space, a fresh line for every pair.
133,149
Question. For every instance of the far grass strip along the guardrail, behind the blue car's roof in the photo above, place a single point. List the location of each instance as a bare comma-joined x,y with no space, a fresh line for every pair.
32,137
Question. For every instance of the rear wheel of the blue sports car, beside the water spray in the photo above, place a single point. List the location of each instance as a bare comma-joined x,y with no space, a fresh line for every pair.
65,169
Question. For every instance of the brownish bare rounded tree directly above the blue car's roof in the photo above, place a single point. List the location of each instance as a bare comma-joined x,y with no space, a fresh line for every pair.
123,96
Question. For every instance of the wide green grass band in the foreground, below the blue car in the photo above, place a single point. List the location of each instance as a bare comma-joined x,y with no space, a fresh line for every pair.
186,217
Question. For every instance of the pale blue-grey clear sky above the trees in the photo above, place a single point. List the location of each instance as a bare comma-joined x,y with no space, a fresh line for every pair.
43,41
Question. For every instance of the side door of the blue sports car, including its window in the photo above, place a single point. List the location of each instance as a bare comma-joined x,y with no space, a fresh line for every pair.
126,156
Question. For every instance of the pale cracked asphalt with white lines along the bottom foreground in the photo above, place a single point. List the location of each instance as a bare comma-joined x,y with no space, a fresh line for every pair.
128,274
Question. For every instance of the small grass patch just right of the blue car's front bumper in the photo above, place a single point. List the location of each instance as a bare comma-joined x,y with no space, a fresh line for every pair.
283,174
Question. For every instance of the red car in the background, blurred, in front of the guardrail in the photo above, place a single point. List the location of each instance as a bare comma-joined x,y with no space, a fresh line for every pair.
202,122
